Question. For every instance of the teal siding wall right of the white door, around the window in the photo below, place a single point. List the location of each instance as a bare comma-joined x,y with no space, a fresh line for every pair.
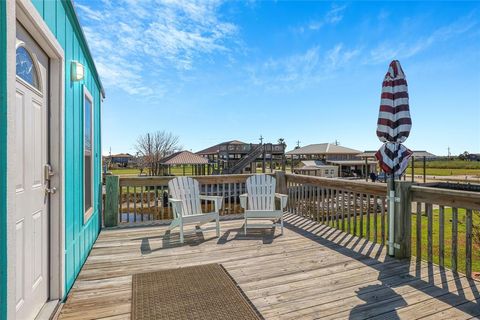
79,235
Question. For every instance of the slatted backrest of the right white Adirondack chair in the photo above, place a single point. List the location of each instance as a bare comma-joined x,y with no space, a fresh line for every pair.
261,192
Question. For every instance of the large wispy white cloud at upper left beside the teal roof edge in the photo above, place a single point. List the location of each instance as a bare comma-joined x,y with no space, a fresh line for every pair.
135,41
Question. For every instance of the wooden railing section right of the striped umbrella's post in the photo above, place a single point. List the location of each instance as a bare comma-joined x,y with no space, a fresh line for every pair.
446,226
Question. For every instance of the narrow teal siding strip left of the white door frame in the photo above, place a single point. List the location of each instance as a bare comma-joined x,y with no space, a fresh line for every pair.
3,160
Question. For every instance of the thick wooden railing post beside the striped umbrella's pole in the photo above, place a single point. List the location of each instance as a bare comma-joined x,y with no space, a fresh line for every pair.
403,220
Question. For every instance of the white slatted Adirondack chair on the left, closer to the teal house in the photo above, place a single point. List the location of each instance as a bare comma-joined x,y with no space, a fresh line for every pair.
186,205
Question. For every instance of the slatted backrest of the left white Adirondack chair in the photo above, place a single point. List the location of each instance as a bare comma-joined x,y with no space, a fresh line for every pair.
187,190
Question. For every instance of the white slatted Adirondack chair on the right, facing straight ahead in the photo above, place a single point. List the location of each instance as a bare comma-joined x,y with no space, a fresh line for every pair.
259,202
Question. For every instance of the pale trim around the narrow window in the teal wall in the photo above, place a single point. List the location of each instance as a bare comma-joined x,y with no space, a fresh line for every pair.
87,213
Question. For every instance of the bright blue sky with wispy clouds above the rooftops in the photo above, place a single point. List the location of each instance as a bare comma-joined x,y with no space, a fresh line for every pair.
211,71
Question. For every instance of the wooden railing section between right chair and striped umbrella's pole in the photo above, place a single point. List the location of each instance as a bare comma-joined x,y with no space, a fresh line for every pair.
356,207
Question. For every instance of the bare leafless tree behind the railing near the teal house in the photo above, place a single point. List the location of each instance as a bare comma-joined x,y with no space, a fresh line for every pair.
152,147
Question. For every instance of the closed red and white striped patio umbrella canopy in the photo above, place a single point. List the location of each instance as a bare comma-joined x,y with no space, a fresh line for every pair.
394,122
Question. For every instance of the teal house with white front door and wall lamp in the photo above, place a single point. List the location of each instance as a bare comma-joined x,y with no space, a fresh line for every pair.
50,160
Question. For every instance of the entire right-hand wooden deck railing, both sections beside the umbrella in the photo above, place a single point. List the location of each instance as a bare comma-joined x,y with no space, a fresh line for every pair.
436,225
